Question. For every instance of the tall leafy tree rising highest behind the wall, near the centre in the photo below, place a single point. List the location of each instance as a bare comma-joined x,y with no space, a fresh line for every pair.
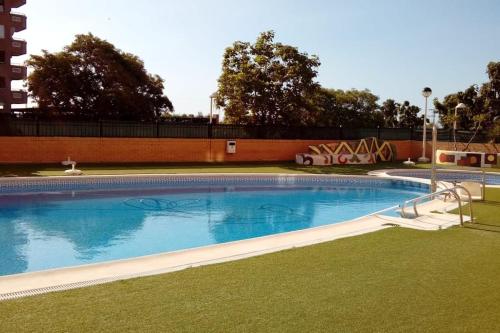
267,83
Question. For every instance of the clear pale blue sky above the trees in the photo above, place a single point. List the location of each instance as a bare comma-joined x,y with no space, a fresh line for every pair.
394,48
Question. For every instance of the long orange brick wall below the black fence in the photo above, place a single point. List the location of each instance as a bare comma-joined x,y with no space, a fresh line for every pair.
117,150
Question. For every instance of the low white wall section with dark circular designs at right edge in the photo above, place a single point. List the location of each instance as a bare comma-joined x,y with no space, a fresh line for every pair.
470,159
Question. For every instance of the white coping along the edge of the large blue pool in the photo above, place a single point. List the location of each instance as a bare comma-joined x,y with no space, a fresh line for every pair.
34,283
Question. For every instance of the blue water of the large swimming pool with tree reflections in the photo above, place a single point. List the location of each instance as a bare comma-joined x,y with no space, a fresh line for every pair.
42,231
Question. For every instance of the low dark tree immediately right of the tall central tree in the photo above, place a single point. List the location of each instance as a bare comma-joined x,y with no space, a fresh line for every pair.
347,108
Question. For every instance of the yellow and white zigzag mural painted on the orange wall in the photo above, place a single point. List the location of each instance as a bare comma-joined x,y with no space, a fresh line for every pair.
364,151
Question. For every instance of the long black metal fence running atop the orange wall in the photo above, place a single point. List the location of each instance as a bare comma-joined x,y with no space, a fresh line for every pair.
41,128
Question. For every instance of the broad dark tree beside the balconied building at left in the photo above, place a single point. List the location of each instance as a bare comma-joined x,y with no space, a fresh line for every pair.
91,80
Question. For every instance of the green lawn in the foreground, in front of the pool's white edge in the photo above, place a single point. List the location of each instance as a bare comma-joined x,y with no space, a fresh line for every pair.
395,280
